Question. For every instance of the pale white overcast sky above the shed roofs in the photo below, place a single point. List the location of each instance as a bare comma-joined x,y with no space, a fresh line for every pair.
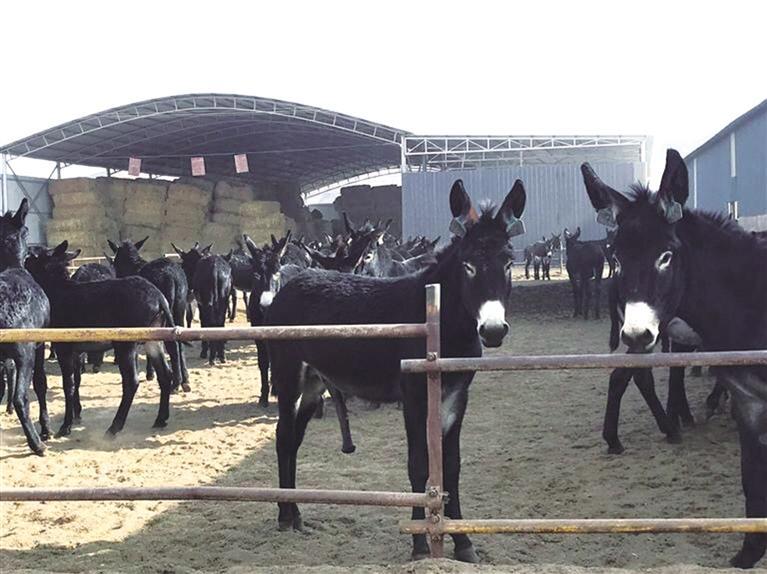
677,71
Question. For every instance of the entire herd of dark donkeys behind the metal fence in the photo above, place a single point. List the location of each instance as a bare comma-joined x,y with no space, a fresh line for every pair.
676,275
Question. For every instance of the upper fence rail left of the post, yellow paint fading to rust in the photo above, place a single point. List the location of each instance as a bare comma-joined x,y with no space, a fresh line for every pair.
388,330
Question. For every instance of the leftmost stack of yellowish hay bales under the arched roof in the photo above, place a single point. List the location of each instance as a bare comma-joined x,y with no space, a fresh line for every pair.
81,215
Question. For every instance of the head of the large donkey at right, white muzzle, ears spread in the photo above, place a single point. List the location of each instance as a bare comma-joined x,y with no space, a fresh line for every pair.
647,253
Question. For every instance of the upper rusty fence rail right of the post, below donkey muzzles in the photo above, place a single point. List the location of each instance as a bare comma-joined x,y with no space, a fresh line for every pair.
561,362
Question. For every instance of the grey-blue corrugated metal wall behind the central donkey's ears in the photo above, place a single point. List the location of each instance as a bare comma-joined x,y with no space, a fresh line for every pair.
556,197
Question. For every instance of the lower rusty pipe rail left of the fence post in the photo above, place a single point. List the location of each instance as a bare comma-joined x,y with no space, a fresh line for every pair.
220,493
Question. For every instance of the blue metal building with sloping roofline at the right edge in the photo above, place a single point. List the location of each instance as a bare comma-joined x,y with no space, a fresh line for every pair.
729,172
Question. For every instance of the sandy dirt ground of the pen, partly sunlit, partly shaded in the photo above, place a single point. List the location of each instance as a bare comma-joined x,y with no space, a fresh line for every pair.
531,448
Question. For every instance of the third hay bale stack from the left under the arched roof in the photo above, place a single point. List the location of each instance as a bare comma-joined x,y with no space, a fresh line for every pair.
186,211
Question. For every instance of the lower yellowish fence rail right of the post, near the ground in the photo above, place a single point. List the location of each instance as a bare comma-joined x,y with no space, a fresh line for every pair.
586,526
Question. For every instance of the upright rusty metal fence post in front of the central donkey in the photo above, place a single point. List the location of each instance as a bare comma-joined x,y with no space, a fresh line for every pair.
434,421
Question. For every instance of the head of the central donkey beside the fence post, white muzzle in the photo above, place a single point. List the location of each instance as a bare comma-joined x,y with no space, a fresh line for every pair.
485,253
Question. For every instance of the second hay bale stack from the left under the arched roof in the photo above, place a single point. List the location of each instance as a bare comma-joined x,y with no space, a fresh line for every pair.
144,214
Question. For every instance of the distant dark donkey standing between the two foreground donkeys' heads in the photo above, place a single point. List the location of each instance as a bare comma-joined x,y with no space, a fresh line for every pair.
585,260
